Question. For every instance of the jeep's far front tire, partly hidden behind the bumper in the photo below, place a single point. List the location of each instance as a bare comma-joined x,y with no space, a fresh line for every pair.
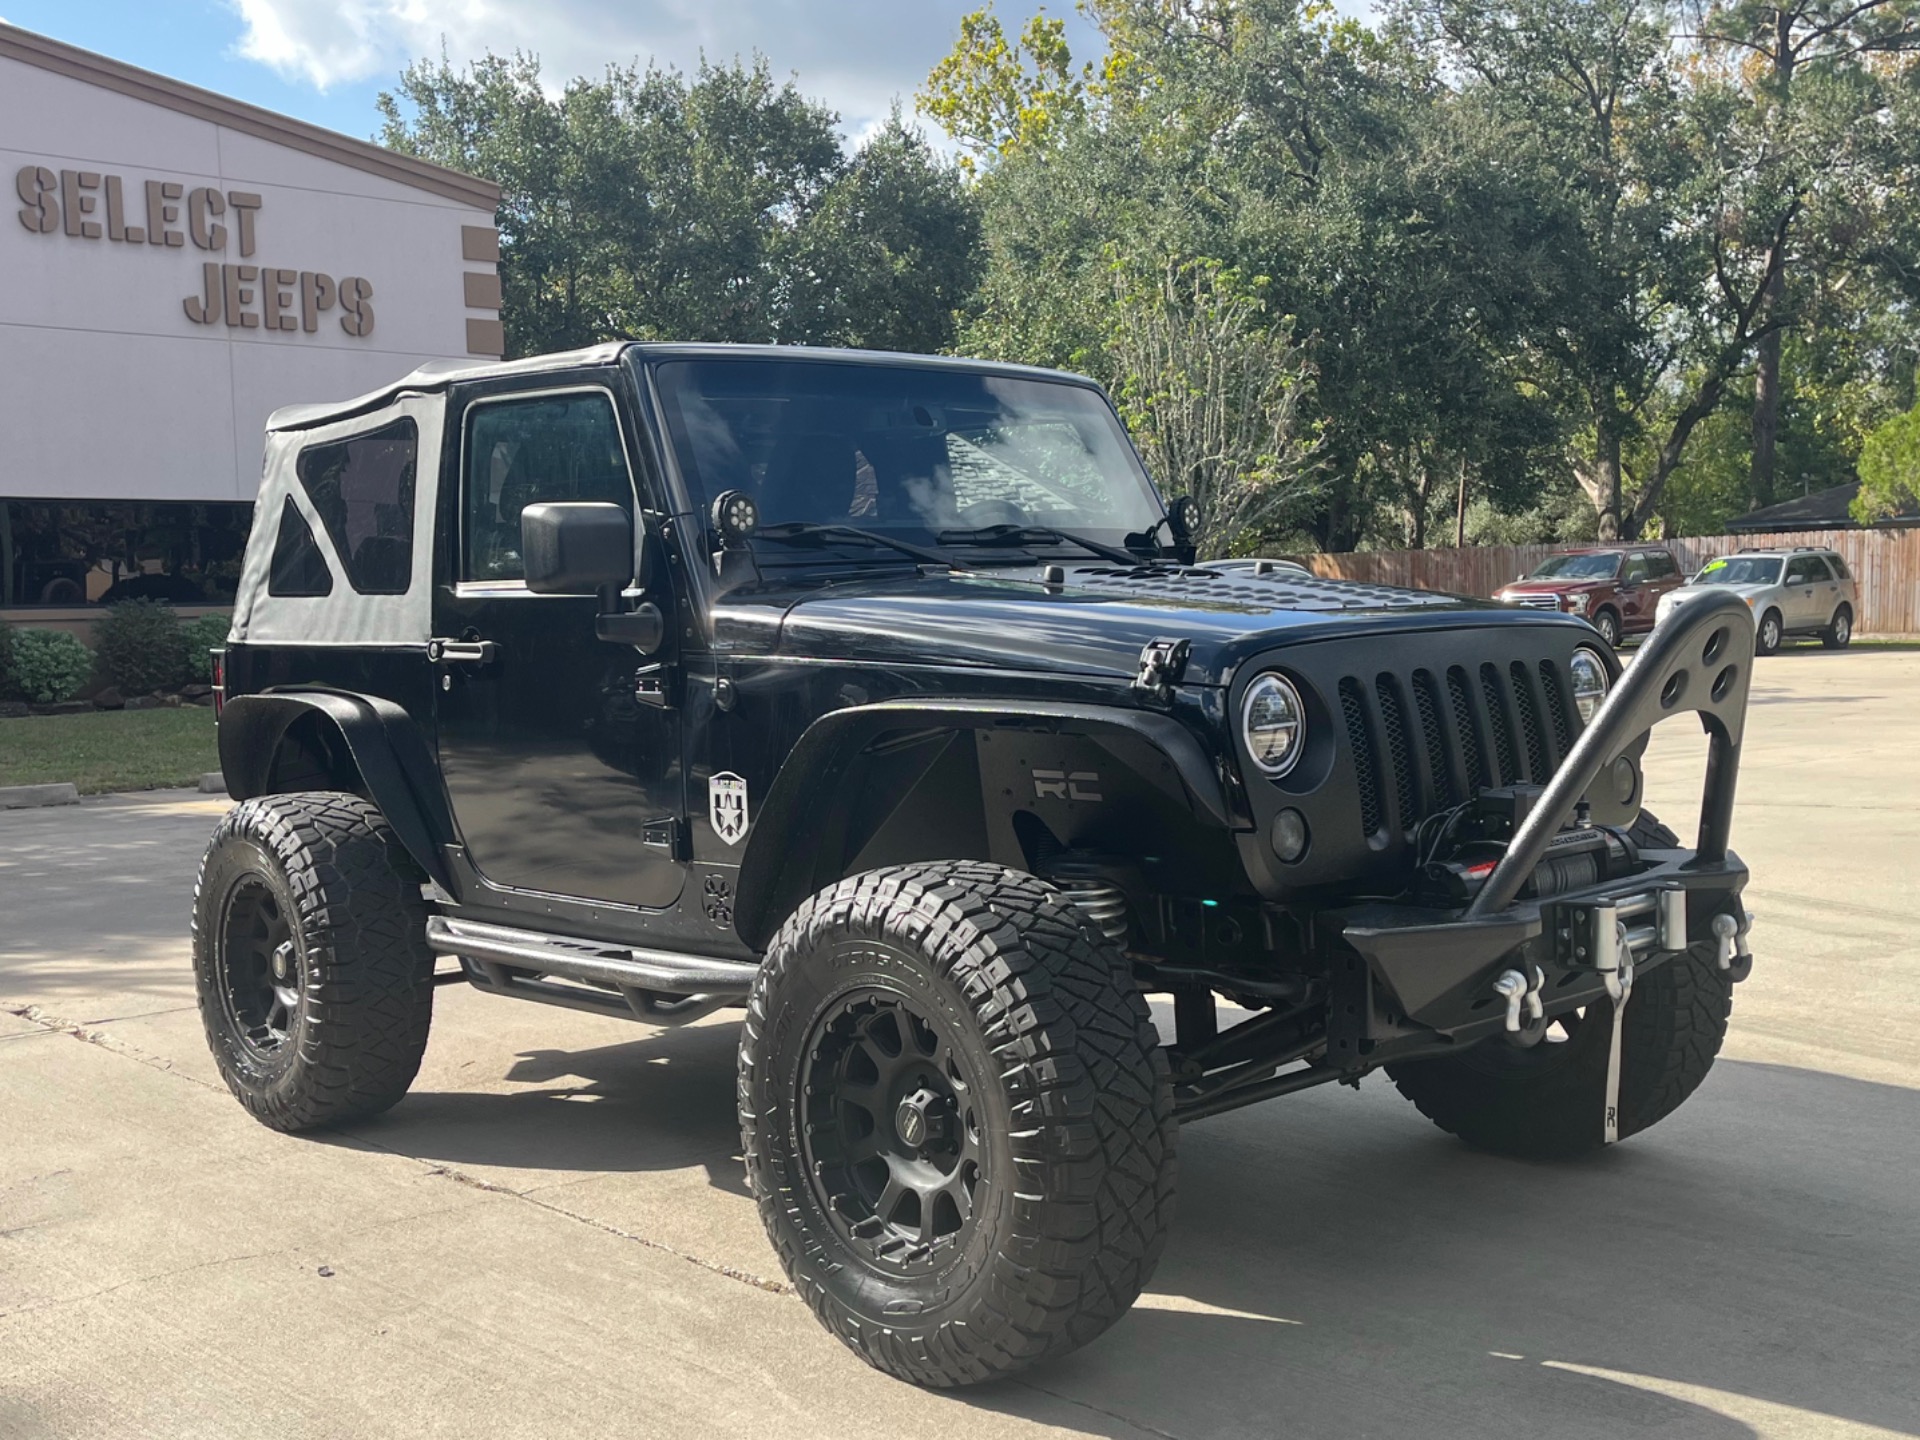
1522,1103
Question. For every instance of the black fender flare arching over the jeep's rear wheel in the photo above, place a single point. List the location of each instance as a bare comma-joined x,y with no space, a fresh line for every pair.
389,750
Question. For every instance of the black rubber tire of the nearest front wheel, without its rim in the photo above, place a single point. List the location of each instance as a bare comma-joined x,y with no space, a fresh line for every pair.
1074,1101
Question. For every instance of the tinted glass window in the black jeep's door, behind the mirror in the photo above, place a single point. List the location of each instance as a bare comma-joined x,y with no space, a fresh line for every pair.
523,452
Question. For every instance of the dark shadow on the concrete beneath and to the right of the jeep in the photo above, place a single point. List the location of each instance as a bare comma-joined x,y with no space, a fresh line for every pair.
1341,1268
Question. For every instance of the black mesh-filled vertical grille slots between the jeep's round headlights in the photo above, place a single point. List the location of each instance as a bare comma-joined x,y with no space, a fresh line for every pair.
1516,719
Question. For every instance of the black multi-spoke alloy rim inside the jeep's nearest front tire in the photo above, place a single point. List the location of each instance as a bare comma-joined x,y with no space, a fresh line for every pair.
892,1132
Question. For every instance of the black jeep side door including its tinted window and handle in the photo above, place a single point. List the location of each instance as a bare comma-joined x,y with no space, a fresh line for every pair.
560,777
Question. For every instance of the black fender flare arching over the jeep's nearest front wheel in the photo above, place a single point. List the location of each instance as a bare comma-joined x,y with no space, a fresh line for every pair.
775,875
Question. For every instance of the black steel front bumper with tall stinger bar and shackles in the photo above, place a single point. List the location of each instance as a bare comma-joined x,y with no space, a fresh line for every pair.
1414,976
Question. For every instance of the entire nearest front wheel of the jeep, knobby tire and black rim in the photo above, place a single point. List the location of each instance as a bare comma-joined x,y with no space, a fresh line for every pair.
957,1120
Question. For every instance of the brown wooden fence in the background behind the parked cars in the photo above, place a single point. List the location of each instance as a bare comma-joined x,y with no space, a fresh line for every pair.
1886,565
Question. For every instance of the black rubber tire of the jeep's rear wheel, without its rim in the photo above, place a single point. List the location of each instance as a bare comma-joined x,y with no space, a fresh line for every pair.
352,907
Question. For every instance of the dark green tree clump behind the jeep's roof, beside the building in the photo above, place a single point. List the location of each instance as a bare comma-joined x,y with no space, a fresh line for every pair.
652,206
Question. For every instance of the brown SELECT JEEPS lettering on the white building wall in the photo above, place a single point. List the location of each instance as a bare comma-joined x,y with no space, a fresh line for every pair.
93,206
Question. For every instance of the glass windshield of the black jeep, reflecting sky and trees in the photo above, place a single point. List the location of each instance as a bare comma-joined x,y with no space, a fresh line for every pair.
907,450
